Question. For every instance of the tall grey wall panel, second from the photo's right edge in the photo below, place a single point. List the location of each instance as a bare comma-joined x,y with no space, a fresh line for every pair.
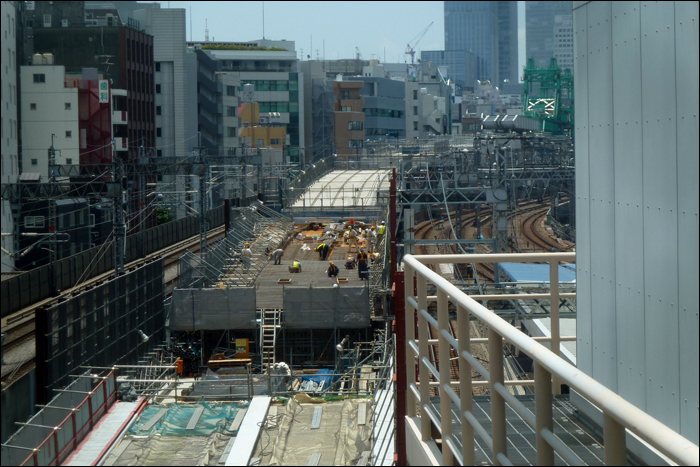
660,209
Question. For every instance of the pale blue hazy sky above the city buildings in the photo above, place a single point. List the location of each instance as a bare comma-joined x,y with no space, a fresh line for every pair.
378,29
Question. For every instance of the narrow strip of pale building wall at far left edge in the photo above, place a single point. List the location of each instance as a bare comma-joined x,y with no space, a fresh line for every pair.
9,125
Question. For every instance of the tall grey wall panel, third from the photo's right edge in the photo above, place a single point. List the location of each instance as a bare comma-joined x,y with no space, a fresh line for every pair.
629,255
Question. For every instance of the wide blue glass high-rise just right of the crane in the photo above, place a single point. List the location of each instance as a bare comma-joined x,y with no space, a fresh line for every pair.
489,31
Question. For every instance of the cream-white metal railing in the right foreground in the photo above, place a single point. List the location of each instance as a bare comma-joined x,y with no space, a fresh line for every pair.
550,372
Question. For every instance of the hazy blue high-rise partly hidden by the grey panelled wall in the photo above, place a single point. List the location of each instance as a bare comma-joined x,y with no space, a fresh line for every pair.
540,18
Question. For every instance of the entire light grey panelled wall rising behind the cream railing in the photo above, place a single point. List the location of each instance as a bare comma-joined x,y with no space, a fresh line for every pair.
636,88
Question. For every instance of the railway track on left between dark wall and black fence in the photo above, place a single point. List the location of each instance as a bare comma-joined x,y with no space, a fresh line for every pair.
19,327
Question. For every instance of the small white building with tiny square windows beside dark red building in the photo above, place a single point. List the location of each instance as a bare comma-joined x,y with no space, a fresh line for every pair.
50,117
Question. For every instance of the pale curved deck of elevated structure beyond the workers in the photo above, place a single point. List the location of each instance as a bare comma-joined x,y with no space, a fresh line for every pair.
344,190
